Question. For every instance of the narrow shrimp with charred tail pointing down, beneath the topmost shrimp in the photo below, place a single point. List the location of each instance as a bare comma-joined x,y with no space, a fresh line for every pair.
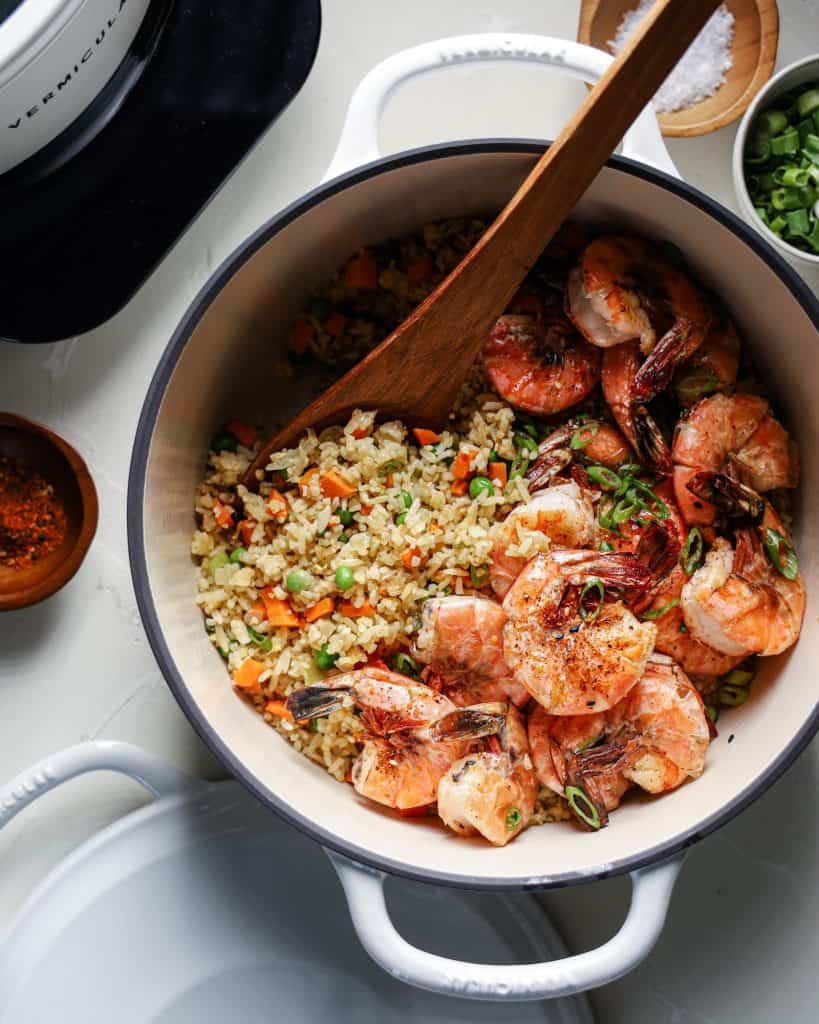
621,367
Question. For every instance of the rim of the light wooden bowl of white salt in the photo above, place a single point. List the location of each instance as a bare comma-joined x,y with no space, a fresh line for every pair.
769,44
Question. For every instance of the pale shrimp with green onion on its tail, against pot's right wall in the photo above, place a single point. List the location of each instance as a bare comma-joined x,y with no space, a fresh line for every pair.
739,602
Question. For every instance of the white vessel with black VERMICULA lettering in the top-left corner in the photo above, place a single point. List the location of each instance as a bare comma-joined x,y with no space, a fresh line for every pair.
57,59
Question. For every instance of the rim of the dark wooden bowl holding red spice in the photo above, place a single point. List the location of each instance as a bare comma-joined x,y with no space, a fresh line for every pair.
91,515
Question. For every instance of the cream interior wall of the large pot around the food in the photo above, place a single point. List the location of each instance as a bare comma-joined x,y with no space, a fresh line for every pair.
228,369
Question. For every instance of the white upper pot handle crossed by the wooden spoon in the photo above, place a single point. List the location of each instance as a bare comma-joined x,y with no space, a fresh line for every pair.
359,143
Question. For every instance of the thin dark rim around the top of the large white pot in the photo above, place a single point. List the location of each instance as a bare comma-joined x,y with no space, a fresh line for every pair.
137,549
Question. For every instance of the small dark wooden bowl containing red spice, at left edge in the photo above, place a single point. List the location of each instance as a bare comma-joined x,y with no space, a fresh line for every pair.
63,467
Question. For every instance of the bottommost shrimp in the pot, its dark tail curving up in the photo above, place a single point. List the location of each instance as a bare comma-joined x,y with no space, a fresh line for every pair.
492,792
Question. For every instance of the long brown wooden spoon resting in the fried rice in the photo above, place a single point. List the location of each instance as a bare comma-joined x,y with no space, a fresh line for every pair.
416,373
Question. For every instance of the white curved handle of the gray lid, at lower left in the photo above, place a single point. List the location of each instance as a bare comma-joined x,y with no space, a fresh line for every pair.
157,777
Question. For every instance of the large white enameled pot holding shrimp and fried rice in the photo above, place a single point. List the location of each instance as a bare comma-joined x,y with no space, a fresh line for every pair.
223,362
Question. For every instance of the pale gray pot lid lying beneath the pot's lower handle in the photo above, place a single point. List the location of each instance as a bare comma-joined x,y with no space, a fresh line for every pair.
209,908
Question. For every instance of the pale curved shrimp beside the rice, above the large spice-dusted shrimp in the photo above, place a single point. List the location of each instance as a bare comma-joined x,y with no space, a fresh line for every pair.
564,514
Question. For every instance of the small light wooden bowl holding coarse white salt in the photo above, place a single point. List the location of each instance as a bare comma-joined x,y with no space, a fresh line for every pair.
754,53
